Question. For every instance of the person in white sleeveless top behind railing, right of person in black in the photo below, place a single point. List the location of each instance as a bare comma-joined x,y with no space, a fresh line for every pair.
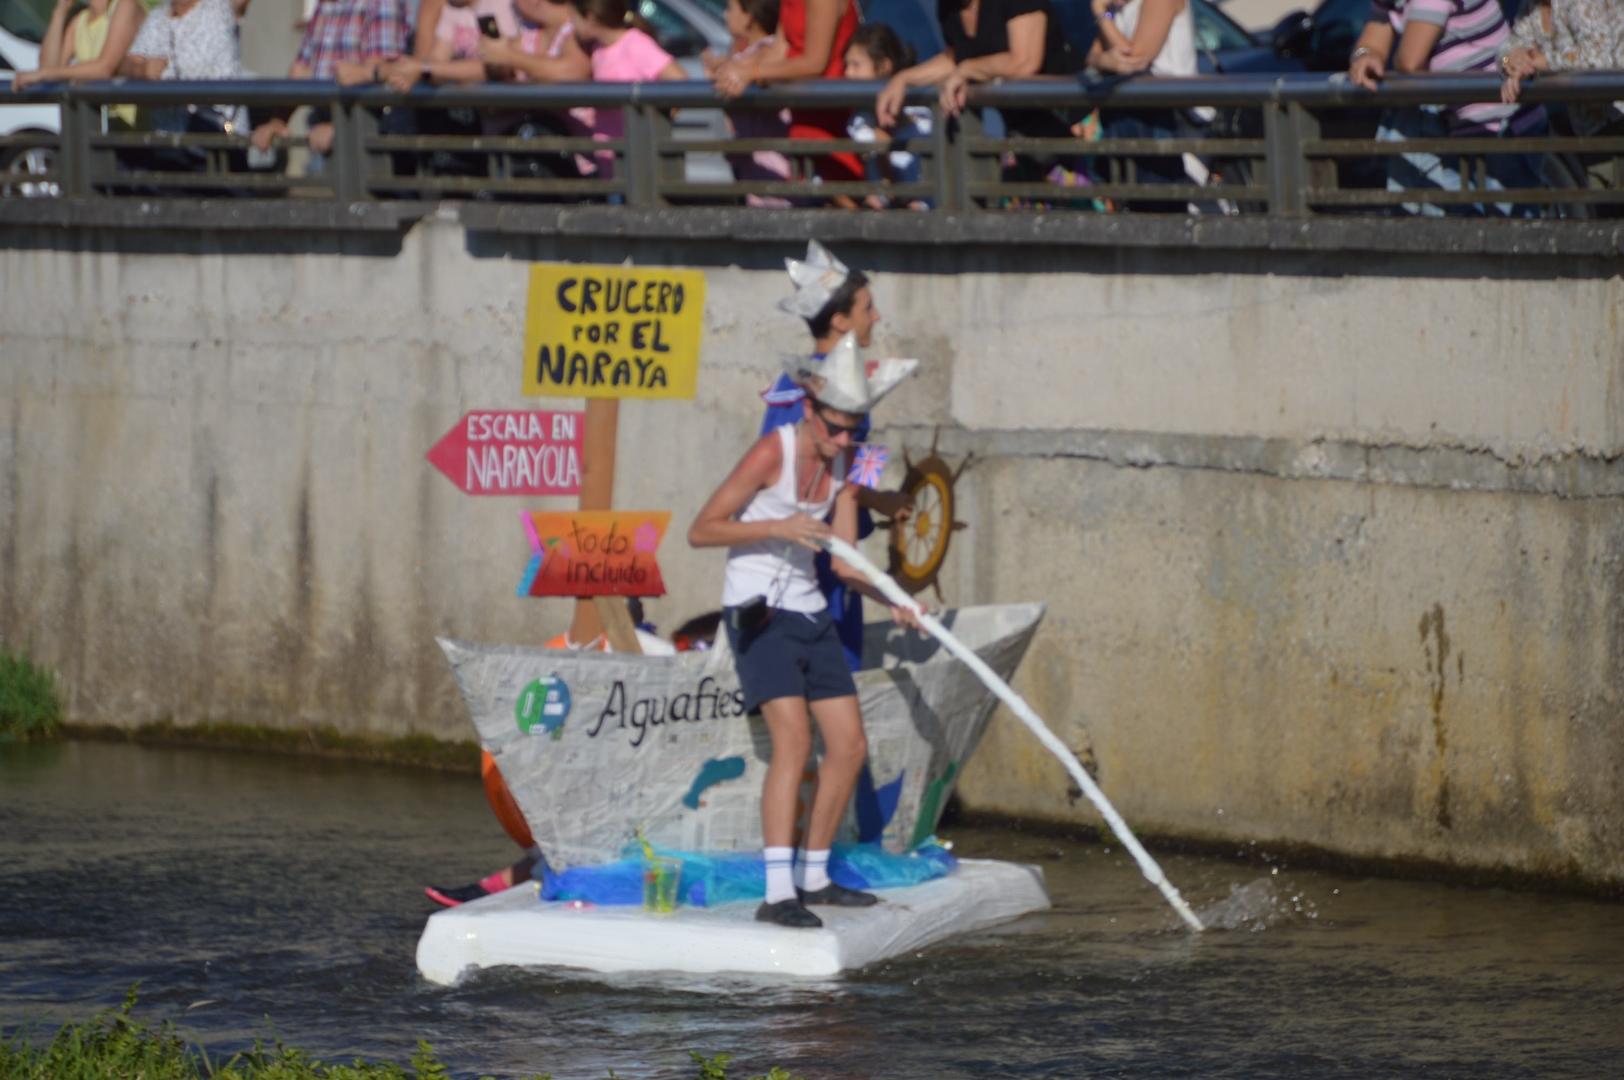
1155,37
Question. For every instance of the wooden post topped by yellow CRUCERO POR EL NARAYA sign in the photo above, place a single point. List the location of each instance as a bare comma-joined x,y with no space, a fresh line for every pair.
607,334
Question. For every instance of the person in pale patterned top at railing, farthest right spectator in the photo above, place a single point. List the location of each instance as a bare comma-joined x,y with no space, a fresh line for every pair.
1571,37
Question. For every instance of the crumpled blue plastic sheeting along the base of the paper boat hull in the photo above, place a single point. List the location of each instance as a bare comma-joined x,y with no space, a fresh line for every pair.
717,879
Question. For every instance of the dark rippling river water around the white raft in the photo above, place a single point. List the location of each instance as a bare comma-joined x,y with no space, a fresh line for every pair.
267,894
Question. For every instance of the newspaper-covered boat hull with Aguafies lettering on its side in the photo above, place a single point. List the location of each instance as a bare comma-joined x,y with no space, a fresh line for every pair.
602,746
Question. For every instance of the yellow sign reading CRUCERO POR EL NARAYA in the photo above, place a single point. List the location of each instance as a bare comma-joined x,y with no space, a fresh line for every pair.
613,332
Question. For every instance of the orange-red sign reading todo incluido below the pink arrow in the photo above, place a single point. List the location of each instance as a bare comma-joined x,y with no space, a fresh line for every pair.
595,553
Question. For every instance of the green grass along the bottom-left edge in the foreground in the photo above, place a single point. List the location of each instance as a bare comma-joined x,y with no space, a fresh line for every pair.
119,1047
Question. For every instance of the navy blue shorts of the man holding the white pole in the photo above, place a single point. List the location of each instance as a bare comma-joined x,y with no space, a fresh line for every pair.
795,655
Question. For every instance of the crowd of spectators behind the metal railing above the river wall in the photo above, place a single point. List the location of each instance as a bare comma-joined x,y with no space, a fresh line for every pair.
407,43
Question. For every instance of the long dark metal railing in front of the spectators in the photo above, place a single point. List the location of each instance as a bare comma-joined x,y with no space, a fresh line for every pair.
1282,145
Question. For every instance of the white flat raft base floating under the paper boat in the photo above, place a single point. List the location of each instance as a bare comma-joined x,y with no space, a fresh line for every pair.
516,928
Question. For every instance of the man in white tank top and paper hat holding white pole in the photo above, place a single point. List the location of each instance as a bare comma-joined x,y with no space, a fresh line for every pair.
771,517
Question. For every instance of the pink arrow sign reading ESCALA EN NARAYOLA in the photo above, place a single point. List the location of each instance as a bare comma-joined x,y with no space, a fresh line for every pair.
514,454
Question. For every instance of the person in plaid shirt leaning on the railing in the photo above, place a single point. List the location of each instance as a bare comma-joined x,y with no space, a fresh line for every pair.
347,41
